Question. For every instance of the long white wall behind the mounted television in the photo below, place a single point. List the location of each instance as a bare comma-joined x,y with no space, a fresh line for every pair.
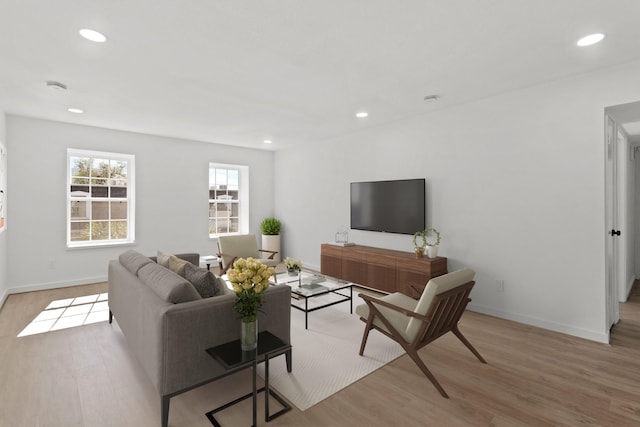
515,186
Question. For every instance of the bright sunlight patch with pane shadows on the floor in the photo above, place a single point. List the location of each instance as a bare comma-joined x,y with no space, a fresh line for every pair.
69,313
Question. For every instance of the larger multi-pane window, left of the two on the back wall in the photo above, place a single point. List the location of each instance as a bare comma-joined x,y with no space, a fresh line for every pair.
100,189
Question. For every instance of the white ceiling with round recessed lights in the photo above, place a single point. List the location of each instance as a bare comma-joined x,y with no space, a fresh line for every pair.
238,72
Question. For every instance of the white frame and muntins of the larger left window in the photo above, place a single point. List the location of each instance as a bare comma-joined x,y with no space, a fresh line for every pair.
130,198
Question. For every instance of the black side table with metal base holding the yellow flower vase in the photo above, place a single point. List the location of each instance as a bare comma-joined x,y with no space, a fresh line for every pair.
231,356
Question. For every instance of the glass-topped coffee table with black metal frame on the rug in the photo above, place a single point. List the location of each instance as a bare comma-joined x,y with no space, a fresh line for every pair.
309,285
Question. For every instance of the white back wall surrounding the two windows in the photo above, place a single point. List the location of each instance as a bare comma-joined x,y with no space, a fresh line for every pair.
171,198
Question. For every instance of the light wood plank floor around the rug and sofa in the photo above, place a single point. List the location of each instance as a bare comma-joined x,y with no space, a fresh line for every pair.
85,376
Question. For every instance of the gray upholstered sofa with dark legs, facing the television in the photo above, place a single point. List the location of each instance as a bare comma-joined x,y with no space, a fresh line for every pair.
168,326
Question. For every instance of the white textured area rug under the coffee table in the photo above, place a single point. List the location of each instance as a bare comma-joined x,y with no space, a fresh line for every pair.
325,356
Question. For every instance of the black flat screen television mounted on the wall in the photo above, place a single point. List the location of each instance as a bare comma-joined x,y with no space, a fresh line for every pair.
388,206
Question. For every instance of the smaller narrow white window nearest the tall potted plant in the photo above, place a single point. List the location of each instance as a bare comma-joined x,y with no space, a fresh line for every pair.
228,199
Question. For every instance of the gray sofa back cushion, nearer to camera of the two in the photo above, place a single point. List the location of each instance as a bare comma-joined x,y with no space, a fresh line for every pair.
167,284
